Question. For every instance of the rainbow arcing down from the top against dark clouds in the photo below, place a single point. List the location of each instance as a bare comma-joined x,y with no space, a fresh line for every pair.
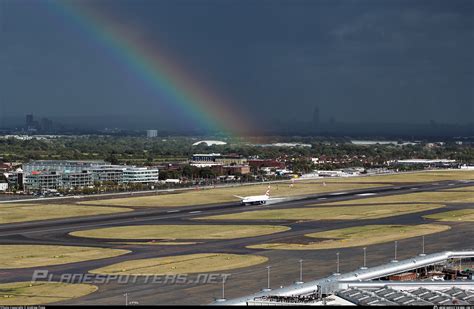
157,69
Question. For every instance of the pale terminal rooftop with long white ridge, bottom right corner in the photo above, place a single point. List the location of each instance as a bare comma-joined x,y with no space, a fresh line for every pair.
372,286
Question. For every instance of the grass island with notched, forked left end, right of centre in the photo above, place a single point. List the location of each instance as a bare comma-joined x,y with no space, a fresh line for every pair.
358,236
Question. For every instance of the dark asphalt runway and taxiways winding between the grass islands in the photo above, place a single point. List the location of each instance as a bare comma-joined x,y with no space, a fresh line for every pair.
285,265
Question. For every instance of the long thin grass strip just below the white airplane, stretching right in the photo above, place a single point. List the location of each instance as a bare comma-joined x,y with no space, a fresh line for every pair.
327,213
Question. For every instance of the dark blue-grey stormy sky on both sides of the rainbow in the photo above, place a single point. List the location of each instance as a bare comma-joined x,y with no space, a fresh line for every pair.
404,61
